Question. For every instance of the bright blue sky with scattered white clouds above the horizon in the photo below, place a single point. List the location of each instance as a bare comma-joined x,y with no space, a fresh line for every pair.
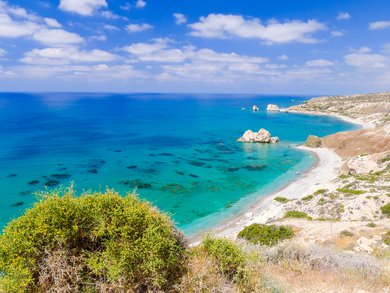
247,46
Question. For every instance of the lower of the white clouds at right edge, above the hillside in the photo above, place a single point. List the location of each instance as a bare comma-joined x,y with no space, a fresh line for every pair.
365,61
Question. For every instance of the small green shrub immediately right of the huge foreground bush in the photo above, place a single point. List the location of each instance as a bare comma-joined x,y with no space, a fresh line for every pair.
229,256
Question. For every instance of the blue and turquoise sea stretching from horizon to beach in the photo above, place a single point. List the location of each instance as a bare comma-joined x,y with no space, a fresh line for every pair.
179,151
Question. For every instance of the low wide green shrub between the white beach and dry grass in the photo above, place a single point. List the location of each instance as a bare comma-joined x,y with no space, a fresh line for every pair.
266,234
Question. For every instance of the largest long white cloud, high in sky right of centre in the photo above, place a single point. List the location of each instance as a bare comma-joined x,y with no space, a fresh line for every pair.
224,26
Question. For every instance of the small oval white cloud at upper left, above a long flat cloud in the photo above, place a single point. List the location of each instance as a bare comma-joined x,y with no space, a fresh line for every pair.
56,37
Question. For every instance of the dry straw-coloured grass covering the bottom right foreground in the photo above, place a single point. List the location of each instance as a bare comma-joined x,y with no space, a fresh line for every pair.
290,268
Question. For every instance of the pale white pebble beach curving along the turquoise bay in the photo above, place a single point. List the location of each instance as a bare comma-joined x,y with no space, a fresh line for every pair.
265,209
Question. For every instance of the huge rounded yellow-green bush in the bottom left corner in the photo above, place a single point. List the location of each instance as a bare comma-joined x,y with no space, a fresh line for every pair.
96,242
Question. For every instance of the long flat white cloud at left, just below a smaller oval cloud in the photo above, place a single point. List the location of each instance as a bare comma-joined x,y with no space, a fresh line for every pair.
67,55
